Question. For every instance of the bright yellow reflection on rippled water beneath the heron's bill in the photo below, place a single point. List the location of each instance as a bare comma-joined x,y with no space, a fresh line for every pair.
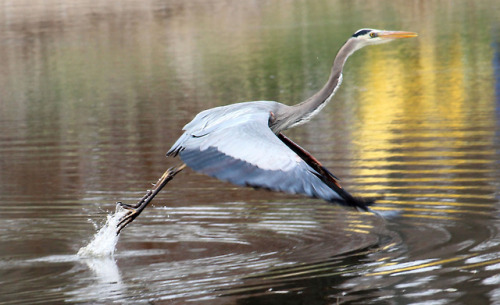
421,119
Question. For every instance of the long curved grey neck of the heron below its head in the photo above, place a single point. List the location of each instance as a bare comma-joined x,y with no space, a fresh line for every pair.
304,111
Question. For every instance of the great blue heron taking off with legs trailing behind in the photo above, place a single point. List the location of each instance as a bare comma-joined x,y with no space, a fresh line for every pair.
243,144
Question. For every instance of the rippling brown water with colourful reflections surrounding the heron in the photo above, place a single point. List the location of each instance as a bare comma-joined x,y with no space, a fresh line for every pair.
92,95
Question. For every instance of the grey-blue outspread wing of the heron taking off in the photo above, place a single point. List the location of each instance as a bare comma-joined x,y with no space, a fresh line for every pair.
237,145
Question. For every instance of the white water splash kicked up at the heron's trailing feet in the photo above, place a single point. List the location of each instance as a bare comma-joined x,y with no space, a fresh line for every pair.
104,242
